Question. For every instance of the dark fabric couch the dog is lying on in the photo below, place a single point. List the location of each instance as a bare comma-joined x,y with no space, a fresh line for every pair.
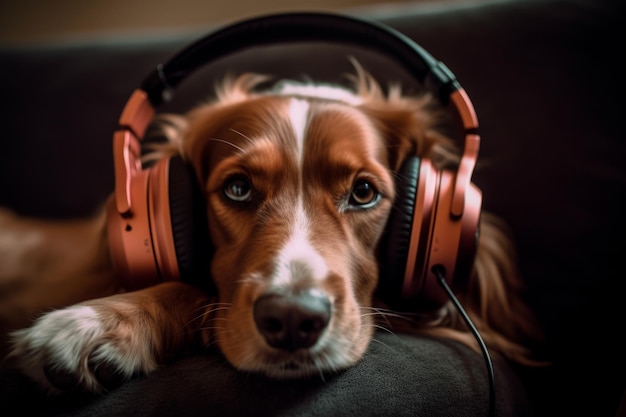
546,80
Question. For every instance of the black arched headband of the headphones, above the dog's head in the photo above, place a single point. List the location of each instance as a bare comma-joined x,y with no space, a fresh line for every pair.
301,27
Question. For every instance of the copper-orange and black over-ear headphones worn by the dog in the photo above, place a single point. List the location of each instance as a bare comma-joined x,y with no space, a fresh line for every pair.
156,218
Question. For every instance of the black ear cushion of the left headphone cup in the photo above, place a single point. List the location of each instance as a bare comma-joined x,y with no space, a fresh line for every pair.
190,231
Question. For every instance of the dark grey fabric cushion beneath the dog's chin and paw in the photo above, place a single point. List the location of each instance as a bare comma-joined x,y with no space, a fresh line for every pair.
433,378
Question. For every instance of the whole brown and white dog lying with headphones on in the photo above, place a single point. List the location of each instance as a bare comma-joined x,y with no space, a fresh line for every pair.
299,184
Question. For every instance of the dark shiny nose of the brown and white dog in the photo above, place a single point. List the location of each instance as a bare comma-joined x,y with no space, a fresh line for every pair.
292,321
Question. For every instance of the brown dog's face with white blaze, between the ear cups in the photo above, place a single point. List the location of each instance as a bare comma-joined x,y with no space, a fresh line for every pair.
299,184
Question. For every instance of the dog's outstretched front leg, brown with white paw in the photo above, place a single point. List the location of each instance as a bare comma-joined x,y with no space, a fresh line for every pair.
100,343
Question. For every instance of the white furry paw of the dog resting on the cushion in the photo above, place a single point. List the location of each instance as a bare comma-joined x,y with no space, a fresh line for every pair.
89,348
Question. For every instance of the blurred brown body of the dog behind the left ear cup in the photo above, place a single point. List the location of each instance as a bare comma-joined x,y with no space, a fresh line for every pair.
46,264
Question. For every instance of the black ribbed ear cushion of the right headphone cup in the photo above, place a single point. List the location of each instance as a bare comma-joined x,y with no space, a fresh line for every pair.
394,246
